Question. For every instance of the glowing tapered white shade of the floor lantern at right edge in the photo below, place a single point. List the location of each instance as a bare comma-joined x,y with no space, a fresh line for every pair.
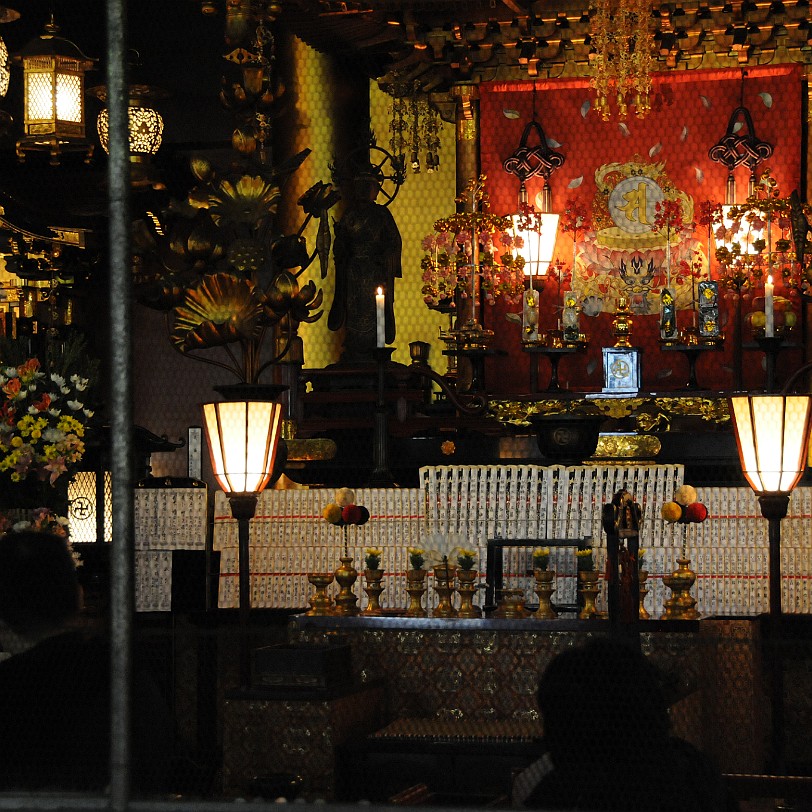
772,433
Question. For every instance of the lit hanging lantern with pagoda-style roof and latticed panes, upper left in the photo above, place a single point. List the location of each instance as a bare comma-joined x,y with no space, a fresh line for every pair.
53,96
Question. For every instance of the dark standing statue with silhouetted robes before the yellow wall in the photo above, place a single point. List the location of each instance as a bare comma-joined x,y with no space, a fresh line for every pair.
367,253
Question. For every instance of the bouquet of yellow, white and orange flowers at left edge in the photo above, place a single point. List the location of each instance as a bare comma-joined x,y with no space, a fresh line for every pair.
43,416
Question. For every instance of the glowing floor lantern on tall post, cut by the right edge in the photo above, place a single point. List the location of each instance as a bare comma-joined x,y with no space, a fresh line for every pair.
772,434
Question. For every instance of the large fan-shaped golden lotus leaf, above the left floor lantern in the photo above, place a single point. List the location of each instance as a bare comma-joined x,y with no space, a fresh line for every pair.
221,309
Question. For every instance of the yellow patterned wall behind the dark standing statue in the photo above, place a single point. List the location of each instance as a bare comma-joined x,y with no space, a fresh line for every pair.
421,200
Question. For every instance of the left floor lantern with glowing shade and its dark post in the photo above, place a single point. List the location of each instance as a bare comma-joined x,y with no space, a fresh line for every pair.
243,436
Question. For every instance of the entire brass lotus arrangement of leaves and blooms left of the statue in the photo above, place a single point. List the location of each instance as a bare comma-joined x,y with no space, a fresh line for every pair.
227,280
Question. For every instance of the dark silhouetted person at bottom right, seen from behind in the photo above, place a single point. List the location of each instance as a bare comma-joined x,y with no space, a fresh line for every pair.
607,733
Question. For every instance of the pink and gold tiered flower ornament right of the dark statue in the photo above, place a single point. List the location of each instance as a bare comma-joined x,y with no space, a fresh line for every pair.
471,241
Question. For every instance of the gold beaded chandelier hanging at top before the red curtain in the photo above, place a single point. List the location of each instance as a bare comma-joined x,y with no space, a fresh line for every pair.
621,56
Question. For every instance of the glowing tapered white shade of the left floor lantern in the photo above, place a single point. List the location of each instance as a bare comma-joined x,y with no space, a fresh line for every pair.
243,436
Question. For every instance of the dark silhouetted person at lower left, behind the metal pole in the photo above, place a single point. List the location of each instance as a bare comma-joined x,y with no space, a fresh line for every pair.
55,681
